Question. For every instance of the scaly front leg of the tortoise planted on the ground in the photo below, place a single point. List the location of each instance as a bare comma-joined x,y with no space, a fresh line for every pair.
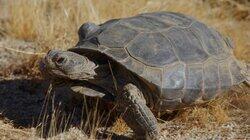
136,113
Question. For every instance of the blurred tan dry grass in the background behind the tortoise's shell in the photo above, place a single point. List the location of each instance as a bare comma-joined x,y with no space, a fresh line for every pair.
54,23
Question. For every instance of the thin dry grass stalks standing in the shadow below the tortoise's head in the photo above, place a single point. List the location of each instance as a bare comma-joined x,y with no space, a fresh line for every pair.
53,121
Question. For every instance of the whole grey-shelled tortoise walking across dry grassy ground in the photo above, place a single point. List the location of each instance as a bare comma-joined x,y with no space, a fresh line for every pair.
148,64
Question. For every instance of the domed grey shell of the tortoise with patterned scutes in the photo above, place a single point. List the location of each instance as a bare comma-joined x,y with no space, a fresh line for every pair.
183,57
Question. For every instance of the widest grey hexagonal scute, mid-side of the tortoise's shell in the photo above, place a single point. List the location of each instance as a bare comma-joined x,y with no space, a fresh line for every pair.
152,49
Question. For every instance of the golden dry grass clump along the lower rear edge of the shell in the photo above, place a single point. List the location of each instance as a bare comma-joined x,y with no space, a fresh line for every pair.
218,111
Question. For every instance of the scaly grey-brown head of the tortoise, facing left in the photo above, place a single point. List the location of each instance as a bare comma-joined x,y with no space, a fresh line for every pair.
67,65
